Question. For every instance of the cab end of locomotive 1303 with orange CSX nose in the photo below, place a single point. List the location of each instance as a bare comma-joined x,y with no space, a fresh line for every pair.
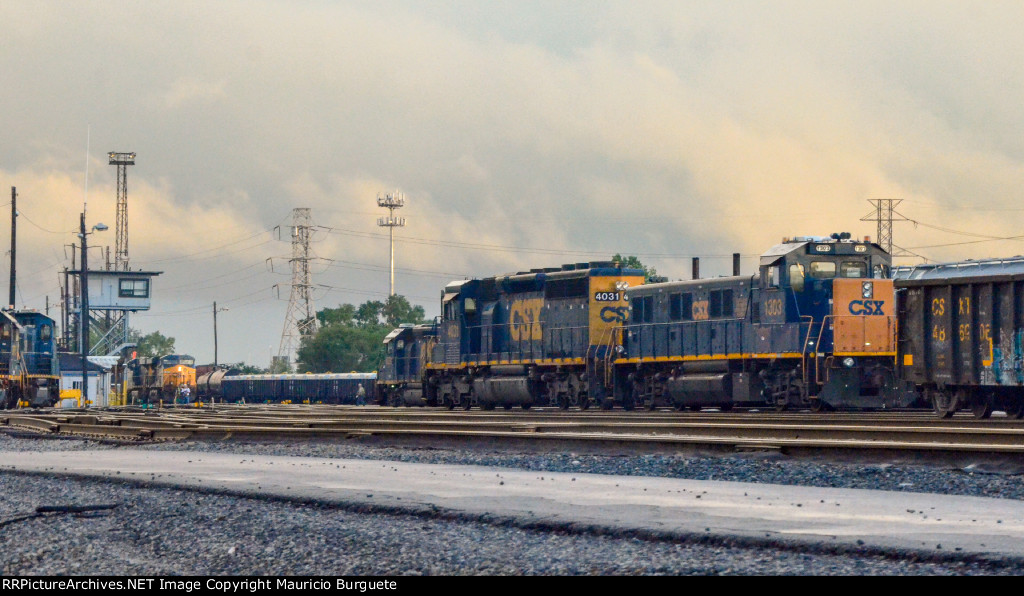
839,291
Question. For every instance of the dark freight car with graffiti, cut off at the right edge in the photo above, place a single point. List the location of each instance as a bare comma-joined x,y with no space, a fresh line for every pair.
962,334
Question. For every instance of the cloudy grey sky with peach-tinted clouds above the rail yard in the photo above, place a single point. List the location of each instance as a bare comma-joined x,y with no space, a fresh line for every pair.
523,134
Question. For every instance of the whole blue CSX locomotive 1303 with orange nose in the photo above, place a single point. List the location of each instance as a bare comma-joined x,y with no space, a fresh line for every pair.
815,328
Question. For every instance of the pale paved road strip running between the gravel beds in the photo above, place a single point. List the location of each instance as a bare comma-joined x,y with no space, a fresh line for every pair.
835,518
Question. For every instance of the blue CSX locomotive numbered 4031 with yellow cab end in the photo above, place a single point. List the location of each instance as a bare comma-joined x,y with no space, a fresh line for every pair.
539,337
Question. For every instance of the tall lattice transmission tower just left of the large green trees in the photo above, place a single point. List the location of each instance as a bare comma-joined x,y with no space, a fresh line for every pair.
302,319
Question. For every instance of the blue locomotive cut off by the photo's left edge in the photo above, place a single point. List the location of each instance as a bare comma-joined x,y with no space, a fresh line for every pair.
29,373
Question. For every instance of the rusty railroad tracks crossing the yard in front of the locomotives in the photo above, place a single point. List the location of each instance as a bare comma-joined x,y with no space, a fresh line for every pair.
787,433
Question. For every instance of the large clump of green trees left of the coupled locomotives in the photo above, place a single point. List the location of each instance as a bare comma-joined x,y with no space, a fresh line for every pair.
351,338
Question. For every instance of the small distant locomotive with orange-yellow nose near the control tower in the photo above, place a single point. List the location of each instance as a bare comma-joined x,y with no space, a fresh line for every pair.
149,380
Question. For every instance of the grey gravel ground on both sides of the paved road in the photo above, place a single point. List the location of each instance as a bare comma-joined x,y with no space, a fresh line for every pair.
169,532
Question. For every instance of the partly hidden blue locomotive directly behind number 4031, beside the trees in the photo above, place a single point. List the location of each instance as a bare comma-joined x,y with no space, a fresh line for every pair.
408,350
